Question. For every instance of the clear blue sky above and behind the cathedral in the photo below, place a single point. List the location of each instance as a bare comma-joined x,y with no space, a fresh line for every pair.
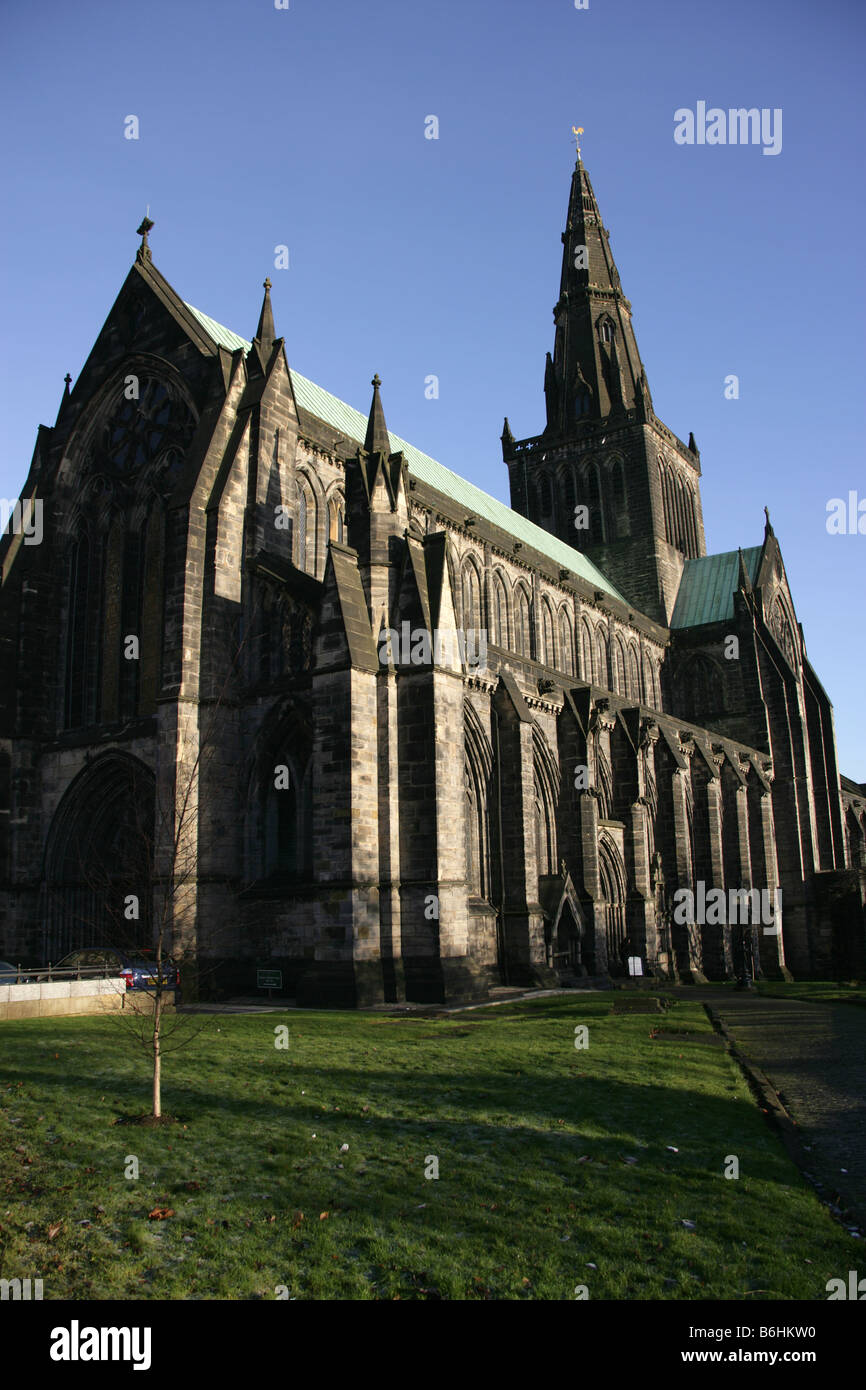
409,258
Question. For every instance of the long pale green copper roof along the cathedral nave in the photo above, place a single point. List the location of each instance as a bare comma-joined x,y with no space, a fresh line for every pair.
352,425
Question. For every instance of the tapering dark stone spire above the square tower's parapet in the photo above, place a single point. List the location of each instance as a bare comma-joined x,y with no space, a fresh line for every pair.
596,370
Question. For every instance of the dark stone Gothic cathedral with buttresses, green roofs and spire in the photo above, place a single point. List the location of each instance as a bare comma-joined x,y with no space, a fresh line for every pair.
291,694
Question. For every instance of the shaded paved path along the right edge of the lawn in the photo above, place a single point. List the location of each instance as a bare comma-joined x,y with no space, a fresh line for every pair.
815,1058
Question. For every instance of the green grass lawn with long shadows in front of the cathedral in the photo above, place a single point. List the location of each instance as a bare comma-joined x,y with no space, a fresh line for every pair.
554,1163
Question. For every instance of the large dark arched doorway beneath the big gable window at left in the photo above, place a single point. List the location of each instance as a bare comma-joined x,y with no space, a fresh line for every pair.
99,860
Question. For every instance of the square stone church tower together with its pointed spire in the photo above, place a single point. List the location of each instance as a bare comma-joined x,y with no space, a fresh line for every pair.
607,476
